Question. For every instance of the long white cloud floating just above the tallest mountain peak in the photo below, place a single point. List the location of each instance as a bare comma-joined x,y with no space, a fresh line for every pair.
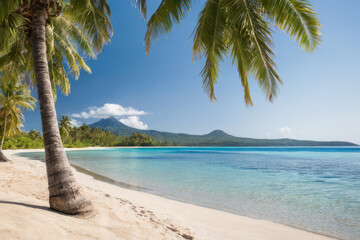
108,110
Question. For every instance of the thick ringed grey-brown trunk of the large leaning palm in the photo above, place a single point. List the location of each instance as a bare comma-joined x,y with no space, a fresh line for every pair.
65,195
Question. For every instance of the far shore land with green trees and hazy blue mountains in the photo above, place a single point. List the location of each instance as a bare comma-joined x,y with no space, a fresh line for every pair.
110,132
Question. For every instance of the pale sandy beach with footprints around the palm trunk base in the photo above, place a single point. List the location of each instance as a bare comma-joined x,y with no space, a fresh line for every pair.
120,213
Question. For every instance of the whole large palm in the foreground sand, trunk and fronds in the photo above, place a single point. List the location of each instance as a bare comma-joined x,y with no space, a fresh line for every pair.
87,28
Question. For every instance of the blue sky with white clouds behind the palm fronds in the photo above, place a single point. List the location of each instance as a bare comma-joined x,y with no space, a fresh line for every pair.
319,99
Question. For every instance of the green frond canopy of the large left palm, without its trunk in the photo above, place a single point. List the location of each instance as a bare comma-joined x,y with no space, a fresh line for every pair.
73,26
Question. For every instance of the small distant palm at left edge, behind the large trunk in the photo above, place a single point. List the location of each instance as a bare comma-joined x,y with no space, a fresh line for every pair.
14,98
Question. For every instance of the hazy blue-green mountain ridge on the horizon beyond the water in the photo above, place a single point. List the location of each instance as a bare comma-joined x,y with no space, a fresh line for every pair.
215,138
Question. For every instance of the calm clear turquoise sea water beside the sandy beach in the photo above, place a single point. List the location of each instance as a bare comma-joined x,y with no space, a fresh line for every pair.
315,189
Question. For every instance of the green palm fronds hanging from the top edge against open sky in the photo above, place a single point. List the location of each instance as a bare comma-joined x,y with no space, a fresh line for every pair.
242,30
